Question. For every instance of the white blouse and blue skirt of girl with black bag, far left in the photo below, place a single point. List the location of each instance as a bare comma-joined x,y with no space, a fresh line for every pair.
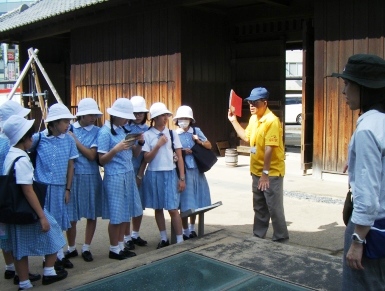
28,239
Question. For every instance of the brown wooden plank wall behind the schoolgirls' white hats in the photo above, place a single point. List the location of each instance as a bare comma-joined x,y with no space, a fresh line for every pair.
137,55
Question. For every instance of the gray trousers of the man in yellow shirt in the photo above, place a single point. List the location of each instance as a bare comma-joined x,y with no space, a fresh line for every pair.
269,204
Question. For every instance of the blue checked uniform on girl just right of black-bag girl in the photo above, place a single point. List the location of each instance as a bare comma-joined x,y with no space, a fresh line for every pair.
53,154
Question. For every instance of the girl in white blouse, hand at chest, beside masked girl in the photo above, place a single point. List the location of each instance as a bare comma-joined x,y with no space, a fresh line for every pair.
161,186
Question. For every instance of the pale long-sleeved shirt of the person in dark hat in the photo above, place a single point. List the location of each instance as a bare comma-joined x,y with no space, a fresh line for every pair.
367,168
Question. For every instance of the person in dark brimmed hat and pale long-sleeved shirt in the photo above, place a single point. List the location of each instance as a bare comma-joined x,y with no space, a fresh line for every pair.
364,90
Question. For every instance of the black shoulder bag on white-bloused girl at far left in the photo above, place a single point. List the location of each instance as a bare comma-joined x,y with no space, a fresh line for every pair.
14,207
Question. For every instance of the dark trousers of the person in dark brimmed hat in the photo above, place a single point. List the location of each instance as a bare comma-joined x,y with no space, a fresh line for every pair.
371,278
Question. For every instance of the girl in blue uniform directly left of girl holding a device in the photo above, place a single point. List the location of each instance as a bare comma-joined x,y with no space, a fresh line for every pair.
86,191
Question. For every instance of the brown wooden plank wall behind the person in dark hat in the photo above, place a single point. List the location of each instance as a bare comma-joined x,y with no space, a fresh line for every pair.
342,28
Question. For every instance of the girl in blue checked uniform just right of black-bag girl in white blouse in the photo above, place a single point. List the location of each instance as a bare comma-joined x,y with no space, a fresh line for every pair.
56,151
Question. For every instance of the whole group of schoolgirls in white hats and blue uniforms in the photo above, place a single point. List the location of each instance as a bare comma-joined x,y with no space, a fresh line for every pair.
137,175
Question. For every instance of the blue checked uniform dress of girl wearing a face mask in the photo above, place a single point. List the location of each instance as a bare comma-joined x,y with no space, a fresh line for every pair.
197,191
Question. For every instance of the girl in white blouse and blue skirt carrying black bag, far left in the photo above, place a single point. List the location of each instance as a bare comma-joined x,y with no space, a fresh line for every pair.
43,237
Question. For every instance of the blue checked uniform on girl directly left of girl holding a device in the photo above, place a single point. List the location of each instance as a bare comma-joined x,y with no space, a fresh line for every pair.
86,190
